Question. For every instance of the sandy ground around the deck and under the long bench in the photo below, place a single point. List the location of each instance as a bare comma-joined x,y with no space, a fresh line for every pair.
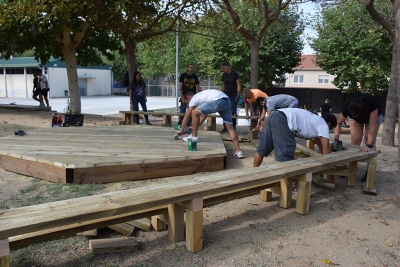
344,227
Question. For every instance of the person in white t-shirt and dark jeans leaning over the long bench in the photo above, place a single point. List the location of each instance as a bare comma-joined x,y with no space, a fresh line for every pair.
283,125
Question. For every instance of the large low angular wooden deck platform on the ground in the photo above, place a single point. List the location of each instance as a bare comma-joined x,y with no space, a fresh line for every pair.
104,154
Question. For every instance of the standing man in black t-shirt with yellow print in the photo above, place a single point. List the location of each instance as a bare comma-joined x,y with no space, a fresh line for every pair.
187,82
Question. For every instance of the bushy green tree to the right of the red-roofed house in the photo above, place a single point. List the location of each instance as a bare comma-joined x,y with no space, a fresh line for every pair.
352,47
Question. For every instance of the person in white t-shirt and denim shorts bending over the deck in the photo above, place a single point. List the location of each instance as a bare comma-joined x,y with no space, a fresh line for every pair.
207,102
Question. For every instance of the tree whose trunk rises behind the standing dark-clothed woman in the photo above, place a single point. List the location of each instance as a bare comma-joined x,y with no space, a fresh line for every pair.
136,21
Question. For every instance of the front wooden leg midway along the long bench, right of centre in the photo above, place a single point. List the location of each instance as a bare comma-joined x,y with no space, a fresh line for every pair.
303,193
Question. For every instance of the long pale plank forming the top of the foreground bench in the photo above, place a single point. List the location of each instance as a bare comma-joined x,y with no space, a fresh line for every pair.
106,205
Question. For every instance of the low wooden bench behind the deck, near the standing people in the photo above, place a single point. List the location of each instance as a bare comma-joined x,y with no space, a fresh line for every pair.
167,120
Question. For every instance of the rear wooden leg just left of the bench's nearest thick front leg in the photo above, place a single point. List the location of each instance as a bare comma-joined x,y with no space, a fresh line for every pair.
175,223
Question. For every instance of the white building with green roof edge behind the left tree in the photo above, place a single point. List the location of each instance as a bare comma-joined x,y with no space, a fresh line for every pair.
16,78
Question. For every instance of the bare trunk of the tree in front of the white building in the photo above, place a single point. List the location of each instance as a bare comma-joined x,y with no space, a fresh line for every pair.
69,52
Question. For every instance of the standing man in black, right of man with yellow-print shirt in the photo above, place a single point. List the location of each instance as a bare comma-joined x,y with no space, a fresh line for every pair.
231,87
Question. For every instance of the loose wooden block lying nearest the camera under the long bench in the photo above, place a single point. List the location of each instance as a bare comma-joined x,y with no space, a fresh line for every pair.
101,246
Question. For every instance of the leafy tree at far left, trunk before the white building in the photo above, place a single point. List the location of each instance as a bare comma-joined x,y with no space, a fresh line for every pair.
68,30
